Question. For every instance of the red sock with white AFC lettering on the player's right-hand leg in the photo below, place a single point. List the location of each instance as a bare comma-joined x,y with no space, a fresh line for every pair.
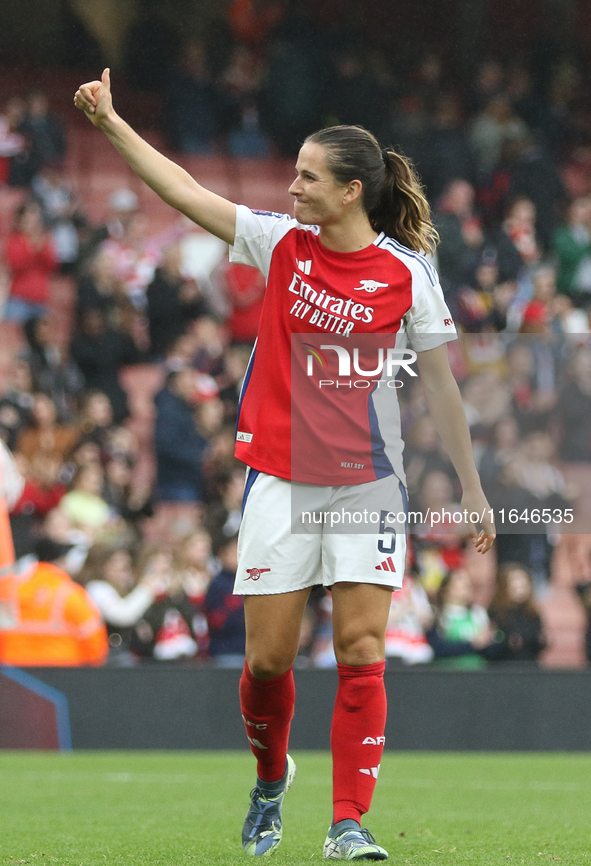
357,738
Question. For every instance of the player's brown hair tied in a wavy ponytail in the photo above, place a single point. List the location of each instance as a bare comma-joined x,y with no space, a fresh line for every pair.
393,196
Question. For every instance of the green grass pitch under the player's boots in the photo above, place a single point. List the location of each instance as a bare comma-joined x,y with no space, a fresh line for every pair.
177,808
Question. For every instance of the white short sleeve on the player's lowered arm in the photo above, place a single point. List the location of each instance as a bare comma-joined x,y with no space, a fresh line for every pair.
428,322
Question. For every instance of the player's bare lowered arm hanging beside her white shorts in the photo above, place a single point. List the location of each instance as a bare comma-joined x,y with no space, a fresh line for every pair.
445,407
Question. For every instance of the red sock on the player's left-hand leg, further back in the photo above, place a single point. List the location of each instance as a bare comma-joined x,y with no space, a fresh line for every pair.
267,710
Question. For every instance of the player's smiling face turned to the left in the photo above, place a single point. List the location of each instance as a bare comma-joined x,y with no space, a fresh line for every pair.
319,200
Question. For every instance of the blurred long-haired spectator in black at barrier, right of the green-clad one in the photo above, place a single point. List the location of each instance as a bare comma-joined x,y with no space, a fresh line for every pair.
515,615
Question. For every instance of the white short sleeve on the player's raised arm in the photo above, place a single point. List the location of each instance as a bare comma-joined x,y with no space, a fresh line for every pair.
257,235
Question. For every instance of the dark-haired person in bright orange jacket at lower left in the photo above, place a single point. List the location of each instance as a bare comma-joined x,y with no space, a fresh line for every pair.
56,622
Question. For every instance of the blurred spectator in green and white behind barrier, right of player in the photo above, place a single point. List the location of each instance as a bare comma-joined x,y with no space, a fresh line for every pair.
461,633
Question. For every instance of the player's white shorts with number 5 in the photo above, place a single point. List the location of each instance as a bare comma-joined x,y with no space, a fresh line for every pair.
273,558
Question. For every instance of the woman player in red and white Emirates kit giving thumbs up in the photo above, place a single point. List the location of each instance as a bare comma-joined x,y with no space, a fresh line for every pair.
340,242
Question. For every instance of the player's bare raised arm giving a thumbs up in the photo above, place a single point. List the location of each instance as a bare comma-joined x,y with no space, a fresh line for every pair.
171,182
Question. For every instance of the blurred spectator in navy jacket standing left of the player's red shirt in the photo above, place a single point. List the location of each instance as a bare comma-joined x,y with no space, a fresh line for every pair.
179,446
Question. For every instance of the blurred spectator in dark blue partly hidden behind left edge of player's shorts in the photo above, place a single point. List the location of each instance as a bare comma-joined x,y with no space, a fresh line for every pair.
225,611
